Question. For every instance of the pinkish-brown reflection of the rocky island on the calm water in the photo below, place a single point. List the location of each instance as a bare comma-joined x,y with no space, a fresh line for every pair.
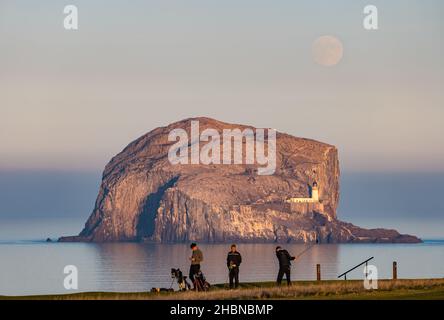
131,266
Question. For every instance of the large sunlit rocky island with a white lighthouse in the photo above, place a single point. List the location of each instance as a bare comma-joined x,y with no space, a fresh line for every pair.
144,197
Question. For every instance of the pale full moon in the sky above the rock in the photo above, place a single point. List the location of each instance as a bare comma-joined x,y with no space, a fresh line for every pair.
327,51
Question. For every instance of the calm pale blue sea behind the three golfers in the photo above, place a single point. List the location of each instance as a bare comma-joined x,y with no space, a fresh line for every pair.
29,265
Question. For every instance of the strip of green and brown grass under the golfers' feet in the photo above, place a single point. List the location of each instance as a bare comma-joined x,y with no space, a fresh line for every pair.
337,289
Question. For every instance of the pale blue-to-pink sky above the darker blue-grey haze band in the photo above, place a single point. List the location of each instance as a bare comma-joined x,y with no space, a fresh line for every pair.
71,100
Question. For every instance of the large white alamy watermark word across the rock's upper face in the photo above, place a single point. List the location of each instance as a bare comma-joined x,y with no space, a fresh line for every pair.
260,147
